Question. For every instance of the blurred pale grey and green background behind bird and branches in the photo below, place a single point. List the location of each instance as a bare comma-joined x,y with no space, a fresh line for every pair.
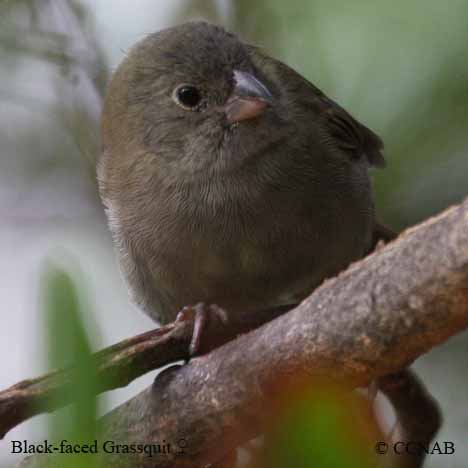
400,67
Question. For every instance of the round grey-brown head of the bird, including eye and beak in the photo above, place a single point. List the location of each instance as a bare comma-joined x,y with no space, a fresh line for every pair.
191,100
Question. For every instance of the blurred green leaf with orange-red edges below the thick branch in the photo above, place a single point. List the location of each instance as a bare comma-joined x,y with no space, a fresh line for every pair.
321,426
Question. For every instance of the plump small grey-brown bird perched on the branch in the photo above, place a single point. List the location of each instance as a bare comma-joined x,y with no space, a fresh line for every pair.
227,177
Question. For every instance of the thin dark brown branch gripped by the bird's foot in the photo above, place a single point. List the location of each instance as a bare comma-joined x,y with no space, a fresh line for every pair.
117,366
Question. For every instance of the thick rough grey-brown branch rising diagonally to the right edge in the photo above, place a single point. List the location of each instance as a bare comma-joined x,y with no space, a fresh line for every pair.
372,320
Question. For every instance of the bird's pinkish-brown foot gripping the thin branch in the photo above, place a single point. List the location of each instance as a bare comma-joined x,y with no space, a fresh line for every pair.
201,313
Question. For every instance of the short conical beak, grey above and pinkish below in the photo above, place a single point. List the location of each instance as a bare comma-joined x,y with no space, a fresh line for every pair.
248,99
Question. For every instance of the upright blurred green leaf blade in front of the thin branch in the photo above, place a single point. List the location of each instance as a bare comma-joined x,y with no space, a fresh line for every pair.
69,345
